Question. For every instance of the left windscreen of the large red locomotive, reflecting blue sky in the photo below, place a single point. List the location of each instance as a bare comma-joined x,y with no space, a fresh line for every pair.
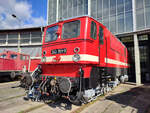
51,34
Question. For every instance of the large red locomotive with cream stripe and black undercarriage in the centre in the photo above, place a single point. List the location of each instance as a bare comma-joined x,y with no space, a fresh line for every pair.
81,59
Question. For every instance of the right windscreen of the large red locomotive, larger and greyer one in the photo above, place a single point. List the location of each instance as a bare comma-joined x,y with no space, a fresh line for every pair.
71,29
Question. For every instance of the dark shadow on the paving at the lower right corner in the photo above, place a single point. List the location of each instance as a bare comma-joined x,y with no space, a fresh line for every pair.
138,98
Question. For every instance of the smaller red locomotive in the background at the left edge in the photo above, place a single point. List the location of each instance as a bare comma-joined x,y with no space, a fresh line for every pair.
14,64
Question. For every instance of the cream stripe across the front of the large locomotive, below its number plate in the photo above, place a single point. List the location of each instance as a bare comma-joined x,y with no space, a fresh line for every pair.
83,57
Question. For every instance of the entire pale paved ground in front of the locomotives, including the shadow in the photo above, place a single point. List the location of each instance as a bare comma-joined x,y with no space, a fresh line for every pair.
125,98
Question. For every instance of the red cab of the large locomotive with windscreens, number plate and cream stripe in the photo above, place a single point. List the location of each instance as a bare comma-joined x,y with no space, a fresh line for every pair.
71,42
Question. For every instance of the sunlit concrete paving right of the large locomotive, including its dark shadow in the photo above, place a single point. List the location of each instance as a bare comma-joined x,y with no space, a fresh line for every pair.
123,99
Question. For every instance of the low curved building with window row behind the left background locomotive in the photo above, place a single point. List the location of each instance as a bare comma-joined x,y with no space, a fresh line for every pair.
25,40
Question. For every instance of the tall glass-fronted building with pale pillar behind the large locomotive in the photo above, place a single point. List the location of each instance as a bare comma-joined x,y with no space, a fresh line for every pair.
127,19
